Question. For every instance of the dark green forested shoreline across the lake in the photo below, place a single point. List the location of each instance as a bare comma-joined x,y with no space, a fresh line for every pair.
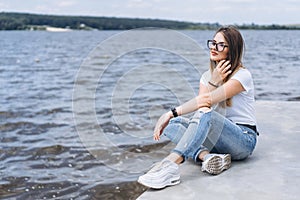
26,21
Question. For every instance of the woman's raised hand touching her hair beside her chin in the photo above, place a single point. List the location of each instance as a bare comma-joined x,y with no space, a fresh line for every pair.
221,71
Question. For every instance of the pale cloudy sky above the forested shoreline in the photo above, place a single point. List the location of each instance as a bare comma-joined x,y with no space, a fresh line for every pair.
211,11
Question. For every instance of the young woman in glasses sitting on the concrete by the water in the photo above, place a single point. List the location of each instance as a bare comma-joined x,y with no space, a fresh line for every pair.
223,126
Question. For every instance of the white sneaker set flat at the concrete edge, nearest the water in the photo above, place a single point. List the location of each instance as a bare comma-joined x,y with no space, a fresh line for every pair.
164,173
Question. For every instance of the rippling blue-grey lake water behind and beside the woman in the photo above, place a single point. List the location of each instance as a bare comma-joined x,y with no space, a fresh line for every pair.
44,154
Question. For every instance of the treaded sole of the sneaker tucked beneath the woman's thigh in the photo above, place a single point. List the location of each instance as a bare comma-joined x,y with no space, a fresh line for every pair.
217,164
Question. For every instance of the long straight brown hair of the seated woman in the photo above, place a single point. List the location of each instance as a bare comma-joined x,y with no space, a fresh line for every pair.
236,47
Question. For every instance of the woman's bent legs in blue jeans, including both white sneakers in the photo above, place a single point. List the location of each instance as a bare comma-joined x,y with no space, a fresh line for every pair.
206,131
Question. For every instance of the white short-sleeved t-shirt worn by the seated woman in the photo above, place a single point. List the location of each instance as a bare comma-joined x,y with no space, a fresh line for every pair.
242,110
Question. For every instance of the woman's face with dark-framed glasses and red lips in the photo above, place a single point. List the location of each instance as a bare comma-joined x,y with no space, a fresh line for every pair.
219,55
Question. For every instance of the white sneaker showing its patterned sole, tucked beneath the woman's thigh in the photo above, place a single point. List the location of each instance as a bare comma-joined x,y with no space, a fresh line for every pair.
216,163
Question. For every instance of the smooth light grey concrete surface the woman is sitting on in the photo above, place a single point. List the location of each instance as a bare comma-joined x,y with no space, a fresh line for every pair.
272,172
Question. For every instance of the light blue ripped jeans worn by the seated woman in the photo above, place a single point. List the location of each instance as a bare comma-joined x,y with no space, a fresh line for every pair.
210,131
